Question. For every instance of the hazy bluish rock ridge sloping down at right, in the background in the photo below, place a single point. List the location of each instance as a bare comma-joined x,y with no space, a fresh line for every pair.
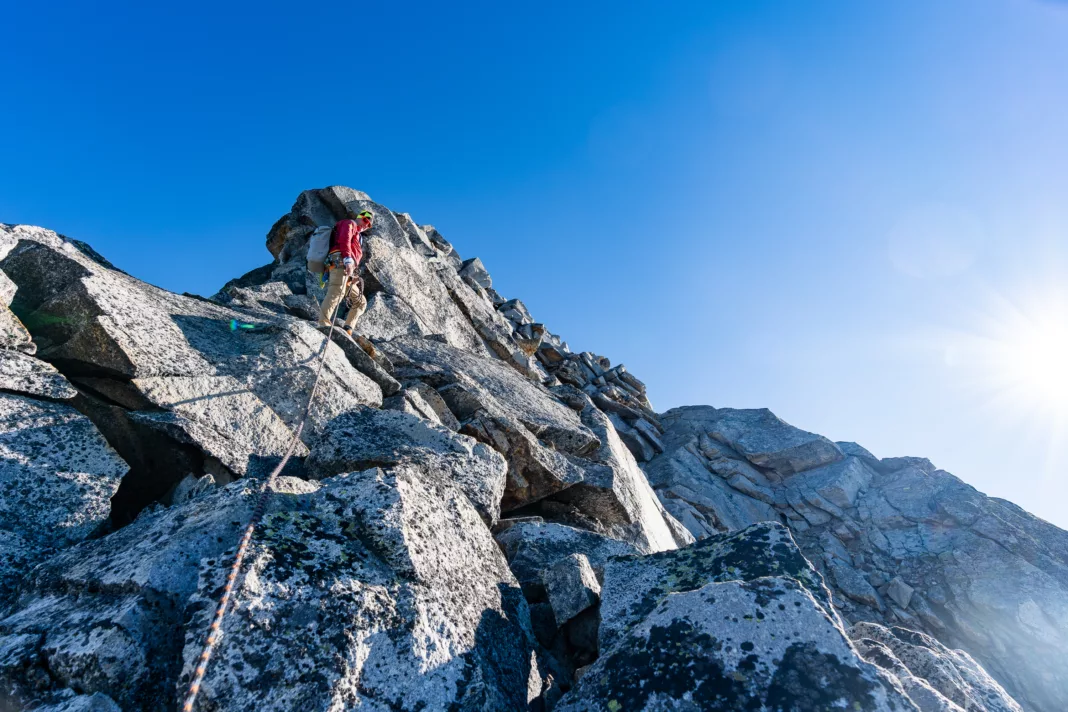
901,543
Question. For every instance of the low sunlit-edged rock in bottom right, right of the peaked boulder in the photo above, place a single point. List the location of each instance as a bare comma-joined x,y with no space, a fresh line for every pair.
953,674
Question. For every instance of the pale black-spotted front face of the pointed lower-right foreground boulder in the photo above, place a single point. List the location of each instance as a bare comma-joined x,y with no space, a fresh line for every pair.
765,644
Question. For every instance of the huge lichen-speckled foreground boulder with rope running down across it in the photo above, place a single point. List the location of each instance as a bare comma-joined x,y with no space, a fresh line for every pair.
379,589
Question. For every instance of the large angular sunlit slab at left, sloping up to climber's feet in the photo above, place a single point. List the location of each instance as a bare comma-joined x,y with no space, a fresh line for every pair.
231,385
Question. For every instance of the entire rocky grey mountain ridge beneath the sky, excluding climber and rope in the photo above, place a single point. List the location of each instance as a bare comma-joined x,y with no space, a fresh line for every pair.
478,519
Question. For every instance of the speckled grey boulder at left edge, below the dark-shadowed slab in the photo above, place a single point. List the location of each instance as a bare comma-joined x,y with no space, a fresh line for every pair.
57,479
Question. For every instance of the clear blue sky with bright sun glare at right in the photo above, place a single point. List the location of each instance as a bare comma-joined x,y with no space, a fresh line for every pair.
855,214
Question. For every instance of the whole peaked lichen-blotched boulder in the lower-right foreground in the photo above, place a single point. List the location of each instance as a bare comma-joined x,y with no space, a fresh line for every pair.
703,629
